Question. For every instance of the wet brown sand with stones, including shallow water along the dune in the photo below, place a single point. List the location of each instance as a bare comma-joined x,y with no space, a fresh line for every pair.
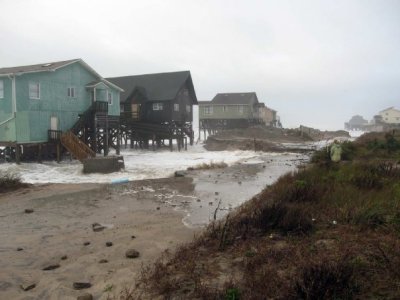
160,214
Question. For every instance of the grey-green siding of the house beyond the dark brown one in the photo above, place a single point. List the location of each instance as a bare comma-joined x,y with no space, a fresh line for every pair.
226,111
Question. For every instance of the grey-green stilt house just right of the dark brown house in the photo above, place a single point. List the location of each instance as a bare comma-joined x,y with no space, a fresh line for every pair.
231,110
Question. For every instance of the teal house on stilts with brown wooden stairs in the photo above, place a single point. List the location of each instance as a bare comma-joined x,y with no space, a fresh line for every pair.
47,108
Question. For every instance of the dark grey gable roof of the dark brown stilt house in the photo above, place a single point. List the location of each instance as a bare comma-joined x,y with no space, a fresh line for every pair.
156,87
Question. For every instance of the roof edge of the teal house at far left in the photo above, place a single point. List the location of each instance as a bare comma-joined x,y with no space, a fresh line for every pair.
51,67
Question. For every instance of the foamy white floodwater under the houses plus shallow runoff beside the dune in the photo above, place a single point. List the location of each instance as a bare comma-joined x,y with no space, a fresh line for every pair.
216,191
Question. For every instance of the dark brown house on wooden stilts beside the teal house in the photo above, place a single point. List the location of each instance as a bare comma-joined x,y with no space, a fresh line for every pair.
157,108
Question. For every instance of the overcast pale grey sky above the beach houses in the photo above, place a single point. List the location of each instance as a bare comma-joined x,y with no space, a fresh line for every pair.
317,62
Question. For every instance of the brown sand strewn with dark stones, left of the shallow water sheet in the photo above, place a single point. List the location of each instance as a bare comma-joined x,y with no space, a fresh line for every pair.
62,222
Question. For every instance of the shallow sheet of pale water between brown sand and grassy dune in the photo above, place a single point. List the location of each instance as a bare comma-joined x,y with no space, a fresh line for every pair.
234,187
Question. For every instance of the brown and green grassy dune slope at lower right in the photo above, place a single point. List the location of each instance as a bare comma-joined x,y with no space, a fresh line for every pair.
326,231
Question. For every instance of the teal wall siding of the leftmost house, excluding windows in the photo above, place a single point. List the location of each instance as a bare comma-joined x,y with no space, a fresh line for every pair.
33,115
